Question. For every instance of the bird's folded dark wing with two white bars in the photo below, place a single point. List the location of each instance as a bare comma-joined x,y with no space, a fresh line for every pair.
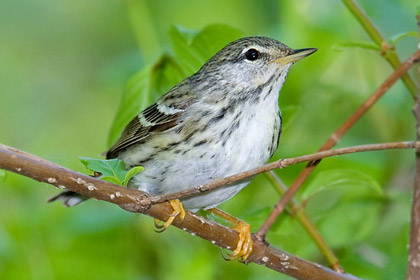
158,117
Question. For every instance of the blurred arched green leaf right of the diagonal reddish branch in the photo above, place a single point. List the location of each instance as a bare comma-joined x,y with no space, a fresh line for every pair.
331,186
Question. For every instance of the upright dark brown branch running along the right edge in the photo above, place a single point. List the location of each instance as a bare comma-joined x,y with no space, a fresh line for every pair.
413,268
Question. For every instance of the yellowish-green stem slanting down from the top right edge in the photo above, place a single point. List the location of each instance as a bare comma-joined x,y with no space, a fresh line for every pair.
388,51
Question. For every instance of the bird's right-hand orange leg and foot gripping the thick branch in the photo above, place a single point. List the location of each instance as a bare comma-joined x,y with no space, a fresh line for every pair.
244,246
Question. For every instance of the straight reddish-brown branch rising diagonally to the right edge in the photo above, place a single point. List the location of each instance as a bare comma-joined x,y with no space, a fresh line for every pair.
335,138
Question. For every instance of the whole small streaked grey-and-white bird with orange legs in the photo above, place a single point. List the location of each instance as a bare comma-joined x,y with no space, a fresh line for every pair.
222,120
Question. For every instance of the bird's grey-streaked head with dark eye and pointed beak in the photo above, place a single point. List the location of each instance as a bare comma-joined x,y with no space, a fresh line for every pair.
251,63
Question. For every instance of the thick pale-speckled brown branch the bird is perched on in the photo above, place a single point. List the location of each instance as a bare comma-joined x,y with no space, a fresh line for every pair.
132,200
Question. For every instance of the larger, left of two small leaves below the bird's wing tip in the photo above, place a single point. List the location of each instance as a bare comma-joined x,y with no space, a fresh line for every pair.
108,168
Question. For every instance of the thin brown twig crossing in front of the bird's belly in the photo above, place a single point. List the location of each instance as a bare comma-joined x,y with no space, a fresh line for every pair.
281,163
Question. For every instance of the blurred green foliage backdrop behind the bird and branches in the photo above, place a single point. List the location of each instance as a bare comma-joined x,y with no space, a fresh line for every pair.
63,70
